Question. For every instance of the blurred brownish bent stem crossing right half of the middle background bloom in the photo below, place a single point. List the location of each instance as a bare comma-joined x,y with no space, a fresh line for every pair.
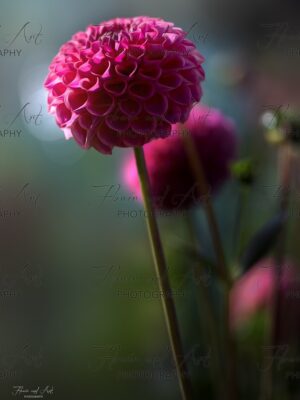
203,188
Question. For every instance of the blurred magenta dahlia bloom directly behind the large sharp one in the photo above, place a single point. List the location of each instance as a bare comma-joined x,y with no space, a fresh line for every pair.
172,180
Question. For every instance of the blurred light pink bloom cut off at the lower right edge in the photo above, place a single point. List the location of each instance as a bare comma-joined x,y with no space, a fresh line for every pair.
254,291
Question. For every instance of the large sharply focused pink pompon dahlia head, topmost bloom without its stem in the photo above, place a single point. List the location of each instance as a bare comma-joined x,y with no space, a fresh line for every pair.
124,82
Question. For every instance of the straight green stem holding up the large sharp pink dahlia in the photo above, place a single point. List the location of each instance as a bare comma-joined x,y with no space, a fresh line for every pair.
163,279
